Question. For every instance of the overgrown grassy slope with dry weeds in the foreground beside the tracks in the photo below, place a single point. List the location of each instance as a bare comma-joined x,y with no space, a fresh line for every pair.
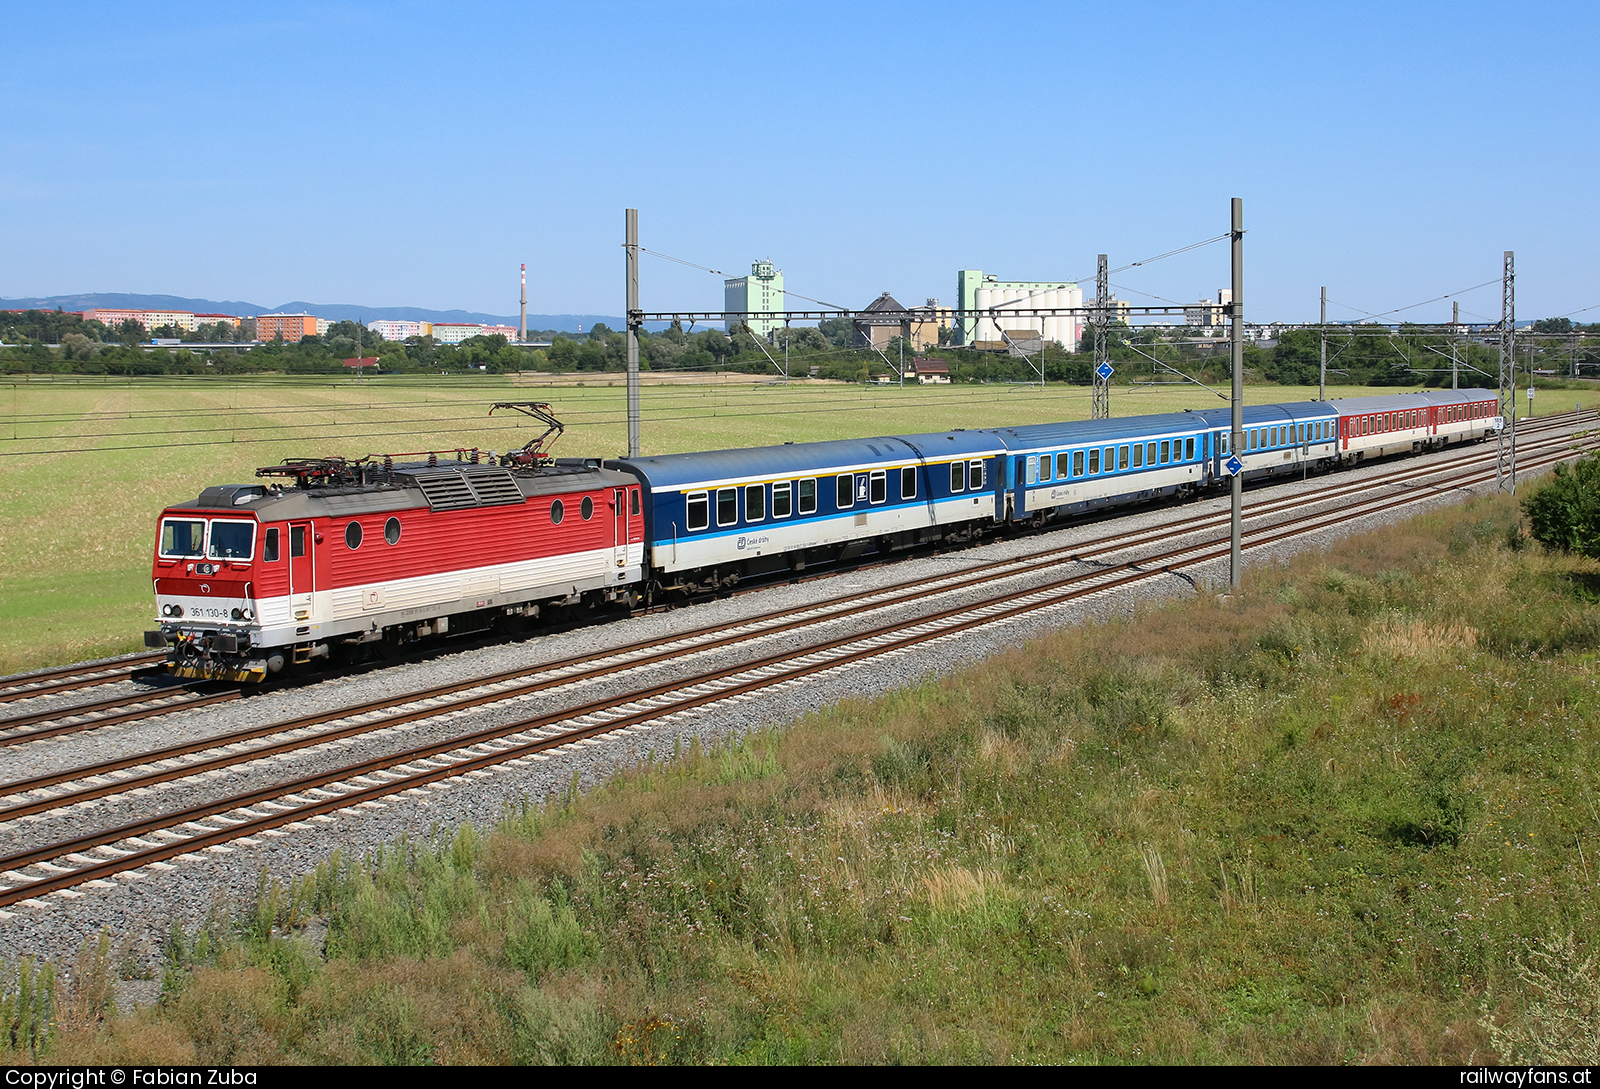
1348,820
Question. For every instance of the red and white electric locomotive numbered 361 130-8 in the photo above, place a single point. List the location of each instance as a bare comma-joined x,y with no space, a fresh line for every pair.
367,557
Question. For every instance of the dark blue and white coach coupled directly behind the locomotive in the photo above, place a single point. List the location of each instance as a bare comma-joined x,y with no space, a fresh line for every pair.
718,516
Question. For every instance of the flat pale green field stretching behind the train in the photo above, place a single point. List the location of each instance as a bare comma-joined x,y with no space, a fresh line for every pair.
86,465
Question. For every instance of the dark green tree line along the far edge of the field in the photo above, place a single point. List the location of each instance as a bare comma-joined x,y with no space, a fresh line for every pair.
54,341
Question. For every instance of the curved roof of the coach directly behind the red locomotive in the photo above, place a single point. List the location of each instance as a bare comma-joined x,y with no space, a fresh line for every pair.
666,473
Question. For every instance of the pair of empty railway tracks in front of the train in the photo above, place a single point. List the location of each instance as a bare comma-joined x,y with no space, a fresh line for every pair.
156,840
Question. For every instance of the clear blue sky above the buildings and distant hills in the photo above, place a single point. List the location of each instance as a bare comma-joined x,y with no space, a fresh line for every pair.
414,154
